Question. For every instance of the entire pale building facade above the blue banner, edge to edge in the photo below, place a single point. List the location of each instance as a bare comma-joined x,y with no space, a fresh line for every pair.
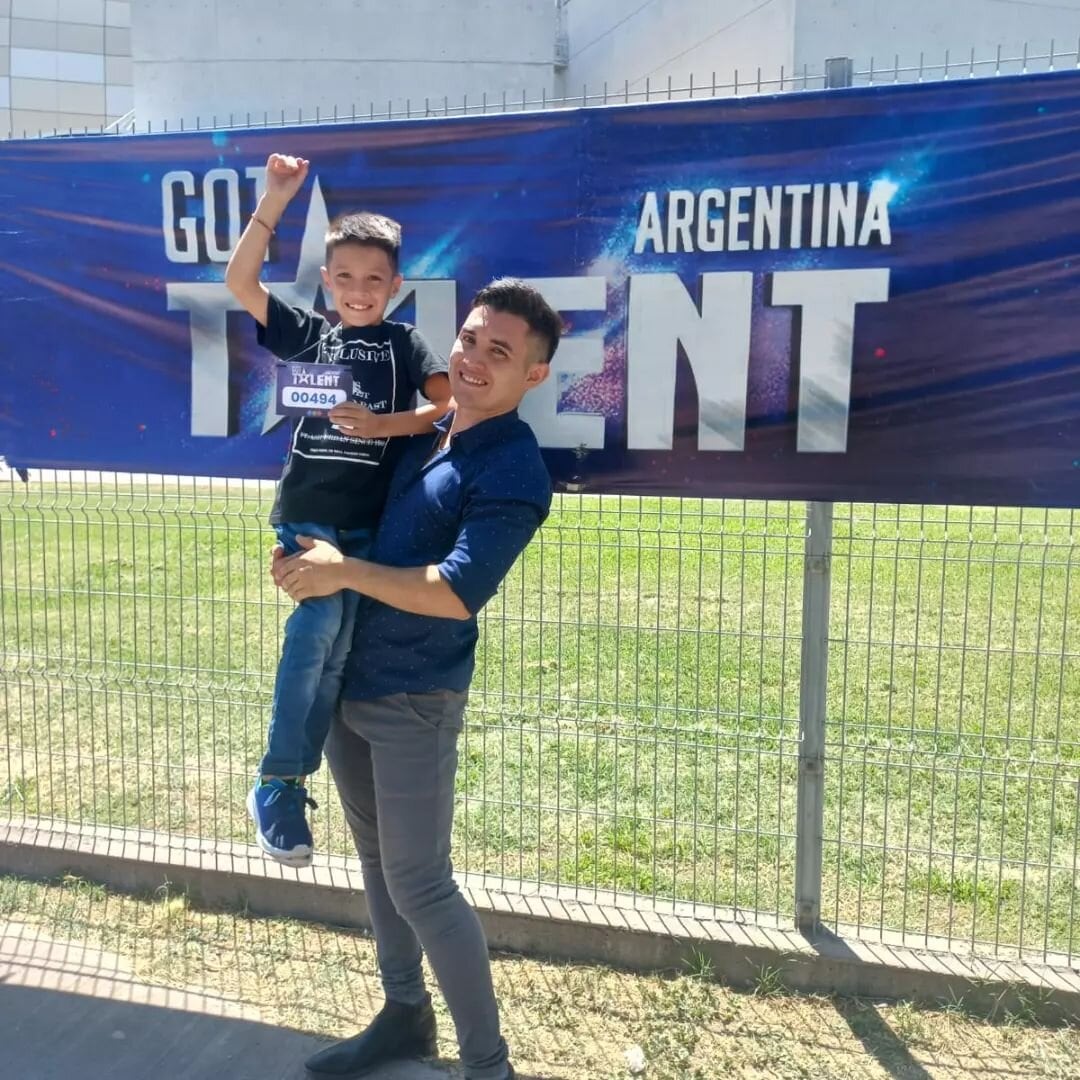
75,64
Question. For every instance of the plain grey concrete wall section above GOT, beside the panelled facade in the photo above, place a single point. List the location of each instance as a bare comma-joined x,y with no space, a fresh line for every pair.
204,58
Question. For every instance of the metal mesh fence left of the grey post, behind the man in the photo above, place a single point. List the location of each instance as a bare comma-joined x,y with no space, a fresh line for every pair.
632,721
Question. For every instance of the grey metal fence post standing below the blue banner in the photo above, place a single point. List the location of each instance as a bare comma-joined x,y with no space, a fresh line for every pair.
814,681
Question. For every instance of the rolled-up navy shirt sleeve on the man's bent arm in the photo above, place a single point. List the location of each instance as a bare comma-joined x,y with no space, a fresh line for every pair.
494,533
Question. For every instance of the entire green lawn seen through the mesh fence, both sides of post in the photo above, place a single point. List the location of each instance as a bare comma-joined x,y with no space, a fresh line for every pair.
634,717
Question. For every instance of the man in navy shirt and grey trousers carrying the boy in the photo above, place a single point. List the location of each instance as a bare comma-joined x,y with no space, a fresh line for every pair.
463,506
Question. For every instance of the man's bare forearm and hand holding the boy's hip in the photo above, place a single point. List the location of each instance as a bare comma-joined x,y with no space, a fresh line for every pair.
322,571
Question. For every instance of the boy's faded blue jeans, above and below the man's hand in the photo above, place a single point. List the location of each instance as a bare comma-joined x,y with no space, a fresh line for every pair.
312,633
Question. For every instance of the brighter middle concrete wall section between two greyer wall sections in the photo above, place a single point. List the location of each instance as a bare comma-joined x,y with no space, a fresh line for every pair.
619,40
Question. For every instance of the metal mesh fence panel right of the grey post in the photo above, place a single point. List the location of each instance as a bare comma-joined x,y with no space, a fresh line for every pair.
953,796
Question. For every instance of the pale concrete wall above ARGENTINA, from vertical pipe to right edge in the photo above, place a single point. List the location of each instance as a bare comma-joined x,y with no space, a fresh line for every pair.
620,40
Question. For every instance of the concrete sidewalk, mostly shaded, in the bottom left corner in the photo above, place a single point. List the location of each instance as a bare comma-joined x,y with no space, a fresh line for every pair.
72,1011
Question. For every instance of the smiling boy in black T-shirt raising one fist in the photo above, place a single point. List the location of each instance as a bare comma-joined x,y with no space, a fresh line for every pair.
337,472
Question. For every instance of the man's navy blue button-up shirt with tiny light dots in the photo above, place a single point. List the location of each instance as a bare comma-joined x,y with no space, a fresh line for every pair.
470,510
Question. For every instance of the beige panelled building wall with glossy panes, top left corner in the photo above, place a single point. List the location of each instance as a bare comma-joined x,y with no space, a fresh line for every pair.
63,64
